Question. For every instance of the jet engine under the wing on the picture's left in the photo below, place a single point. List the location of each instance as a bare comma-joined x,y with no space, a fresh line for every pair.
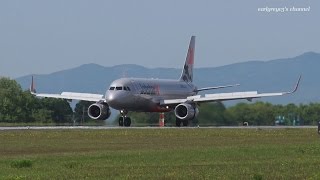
99,111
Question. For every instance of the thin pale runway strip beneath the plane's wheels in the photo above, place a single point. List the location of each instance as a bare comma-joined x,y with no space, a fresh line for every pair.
116,127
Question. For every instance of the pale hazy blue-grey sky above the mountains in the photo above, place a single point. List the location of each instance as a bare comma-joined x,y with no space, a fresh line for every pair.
42,36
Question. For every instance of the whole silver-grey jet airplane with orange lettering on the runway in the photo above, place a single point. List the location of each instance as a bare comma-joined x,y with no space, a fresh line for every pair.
156,95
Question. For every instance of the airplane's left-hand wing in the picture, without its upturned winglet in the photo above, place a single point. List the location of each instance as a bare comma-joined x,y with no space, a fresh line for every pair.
73,96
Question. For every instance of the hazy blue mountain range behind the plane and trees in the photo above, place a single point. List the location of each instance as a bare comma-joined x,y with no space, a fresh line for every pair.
264,76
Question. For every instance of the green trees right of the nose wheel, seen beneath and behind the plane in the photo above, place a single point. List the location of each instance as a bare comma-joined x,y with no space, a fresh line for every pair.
258,113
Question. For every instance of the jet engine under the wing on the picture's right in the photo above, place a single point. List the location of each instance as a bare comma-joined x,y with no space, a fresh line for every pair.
186,111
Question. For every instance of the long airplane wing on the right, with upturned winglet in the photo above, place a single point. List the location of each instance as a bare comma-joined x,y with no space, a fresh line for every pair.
249,95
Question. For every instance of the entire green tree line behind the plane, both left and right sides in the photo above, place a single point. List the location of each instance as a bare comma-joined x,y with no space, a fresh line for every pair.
19,106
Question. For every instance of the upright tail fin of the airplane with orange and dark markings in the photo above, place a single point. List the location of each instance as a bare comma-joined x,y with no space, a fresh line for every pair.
187,71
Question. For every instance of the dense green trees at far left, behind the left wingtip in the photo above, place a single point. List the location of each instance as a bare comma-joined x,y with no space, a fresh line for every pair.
18,106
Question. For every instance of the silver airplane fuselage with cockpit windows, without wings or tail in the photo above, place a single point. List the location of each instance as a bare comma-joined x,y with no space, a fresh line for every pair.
138,94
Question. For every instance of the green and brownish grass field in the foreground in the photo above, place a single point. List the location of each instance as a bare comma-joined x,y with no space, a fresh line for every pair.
187,153
